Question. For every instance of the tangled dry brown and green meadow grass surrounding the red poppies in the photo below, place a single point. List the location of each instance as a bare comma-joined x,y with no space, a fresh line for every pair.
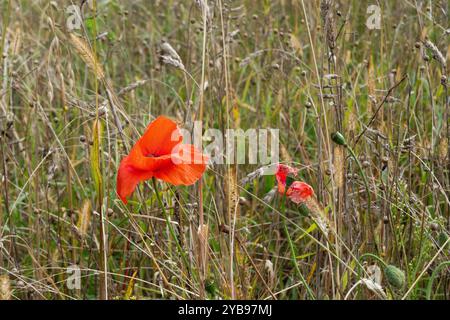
363,115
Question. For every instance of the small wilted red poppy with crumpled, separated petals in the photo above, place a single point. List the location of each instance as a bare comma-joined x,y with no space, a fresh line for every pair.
298,191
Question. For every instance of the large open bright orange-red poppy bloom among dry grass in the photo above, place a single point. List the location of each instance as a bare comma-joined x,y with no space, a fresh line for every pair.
160,154
